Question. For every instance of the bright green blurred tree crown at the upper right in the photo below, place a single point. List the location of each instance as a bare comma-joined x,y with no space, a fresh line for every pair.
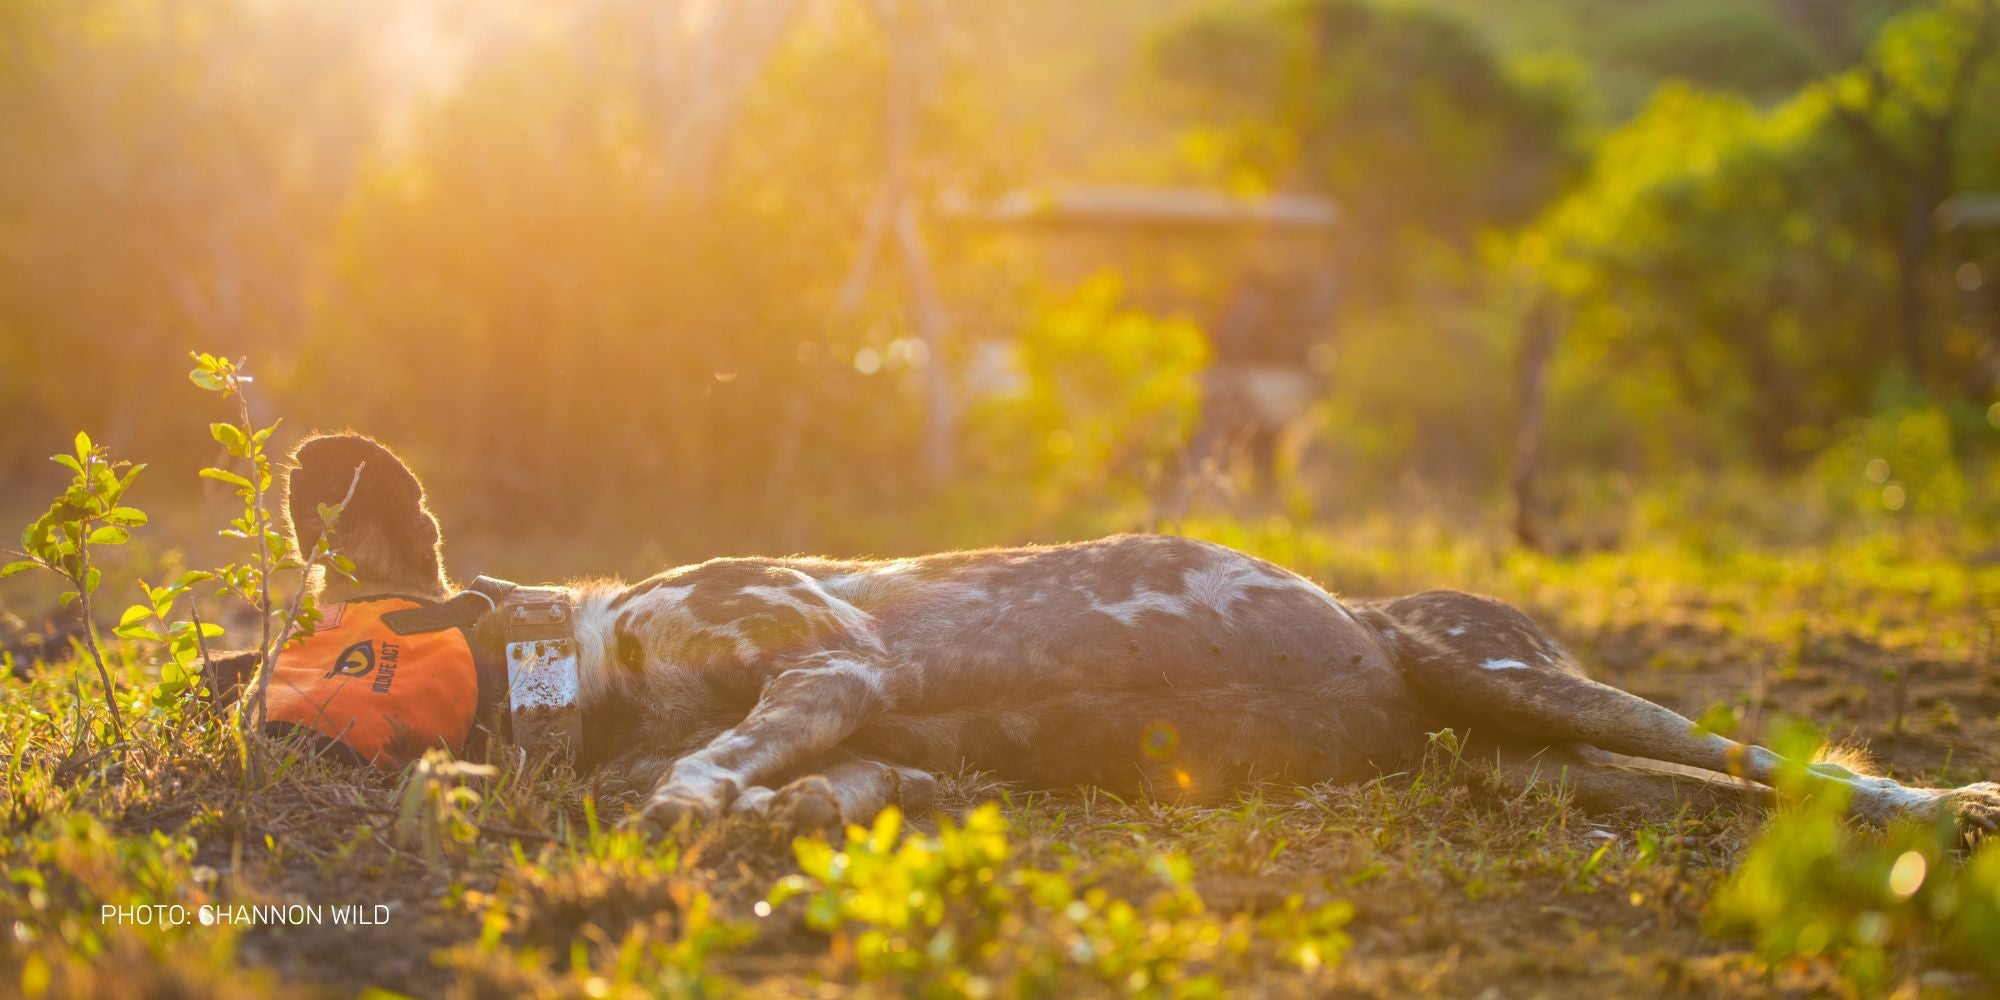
1755,257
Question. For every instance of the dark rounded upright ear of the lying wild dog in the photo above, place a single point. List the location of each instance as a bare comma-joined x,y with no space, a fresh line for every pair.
387,527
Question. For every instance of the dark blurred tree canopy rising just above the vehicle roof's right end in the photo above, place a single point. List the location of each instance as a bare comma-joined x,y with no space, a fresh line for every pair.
1403,113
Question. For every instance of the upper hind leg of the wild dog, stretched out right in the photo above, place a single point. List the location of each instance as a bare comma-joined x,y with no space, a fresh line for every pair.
1487,667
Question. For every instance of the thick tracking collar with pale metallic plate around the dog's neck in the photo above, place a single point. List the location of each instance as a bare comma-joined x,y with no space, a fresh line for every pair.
543,673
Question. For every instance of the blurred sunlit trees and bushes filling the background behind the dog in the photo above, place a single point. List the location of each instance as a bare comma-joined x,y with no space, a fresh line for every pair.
703,269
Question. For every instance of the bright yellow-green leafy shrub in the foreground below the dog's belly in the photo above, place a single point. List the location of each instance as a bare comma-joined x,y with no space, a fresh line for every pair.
951,917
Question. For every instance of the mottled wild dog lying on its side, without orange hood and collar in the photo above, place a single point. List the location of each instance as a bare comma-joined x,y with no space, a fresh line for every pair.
819,691
